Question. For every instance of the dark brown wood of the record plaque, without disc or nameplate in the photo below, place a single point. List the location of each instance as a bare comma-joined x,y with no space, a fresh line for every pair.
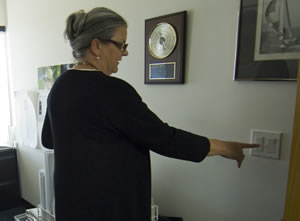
178,21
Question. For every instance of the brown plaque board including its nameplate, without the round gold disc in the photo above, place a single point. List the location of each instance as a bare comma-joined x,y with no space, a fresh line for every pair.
168,70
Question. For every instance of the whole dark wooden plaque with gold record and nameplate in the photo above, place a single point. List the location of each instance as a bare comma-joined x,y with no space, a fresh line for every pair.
165,49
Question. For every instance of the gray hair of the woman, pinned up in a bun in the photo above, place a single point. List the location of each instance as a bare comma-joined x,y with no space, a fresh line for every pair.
81,28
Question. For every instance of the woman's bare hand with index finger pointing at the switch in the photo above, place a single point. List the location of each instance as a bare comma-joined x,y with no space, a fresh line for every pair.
229,149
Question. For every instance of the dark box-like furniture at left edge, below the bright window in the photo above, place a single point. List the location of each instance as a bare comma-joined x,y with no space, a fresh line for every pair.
9,178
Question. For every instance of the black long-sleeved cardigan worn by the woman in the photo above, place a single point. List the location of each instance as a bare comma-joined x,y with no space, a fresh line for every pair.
102,132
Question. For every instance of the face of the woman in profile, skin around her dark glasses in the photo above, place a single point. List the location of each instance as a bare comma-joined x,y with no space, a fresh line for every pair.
112,54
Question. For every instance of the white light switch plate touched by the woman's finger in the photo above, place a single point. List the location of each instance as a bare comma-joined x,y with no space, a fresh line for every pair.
269,143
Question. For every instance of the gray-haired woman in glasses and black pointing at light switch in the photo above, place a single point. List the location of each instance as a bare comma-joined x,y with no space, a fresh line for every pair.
102,132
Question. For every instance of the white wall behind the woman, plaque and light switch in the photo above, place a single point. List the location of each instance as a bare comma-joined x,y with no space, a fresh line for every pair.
209,103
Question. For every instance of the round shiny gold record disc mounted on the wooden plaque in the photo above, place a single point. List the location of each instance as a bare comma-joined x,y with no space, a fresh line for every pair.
162,40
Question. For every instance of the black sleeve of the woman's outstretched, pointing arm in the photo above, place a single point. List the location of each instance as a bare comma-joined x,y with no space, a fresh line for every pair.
131,116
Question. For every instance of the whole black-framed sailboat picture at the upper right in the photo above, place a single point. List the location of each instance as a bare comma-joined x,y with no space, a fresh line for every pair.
268,46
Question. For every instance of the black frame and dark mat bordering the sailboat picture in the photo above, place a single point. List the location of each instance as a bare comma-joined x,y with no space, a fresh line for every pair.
246,68
